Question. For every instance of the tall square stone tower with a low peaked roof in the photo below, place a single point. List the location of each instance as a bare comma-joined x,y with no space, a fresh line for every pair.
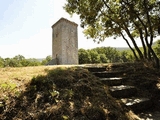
64,42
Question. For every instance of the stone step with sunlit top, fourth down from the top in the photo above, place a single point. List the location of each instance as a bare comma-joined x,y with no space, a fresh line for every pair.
122,91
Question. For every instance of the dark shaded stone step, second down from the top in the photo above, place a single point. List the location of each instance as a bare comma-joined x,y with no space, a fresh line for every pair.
108,74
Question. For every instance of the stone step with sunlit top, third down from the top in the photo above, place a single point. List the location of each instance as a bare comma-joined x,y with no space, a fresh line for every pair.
112,81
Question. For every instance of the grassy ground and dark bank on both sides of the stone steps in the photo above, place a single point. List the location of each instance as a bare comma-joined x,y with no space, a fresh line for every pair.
68,92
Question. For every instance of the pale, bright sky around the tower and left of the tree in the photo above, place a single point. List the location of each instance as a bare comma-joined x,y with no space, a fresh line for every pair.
25,28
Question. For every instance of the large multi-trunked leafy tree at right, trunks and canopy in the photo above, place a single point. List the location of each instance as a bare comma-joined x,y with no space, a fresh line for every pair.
130,19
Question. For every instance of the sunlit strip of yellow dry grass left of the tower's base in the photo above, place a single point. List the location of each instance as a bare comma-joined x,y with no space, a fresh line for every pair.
25,74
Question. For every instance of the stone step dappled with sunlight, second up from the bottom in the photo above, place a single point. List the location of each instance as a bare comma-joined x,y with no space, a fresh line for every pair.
137,104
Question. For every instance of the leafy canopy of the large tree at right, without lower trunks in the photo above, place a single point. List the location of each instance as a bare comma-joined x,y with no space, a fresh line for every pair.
103,18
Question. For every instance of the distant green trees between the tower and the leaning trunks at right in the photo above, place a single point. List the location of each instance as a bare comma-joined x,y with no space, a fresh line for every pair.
104,55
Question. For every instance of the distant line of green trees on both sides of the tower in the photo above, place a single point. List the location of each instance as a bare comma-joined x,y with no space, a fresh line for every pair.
90,56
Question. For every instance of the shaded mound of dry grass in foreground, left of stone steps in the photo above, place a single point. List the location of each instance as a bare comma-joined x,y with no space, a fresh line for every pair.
64,94
